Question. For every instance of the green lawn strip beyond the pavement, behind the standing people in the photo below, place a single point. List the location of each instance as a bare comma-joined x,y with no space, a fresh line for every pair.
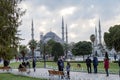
113,66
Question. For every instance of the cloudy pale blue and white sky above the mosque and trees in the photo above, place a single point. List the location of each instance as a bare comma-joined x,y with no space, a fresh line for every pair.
81,16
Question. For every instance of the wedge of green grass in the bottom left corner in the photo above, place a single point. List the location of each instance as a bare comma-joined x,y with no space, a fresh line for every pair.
7,76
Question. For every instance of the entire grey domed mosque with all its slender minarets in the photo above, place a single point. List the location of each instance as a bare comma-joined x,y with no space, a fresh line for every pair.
98,47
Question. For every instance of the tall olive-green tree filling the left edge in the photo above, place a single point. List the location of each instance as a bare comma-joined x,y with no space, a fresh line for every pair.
10,15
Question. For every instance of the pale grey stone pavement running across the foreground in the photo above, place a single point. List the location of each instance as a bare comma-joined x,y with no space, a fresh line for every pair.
43,73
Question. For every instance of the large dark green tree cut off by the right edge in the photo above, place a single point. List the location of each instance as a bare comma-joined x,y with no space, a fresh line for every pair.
112,38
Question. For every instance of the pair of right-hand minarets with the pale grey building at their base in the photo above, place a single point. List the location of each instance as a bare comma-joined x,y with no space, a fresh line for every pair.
99,47
